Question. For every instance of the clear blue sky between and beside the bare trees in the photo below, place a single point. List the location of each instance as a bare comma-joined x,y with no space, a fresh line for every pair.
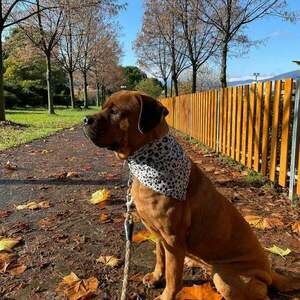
280,43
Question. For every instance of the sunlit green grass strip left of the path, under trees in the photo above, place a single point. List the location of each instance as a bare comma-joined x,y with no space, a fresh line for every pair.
37,124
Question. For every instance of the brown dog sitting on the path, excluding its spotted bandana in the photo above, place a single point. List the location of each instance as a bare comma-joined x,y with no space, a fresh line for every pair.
205,226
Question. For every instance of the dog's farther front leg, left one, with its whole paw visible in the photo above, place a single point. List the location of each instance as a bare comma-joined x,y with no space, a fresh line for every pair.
154,278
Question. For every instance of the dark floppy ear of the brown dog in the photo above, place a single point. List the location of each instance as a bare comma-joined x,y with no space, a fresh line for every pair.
151,113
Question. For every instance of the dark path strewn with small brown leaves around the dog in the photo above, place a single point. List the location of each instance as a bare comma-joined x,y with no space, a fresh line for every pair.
71,236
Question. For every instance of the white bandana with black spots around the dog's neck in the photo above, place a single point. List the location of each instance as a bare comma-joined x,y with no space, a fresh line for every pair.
162,166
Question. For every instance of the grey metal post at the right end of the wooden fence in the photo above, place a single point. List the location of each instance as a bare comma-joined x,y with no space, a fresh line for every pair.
295,143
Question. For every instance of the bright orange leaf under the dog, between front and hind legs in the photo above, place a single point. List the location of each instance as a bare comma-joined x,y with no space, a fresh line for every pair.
199,292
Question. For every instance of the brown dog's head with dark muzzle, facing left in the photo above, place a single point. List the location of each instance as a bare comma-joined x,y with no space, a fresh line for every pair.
128,121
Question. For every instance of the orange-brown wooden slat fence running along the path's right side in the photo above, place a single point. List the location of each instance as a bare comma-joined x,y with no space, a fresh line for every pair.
256,125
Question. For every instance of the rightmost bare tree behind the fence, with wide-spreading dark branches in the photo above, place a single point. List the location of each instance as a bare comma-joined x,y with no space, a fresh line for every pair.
230,17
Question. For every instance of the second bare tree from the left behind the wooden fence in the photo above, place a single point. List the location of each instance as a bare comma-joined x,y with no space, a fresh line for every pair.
160,20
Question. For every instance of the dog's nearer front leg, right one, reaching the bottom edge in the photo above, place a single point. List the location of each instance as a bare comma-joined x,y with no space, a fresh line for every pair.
174,269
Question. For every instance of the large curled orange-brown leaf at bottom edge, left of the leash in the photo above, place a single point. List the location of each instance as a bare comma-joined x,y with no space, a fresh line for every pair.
75,288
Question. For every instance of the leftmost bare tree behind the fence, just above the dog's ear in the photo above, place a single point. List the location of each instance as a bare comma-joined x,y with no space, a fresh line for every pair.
153,57
